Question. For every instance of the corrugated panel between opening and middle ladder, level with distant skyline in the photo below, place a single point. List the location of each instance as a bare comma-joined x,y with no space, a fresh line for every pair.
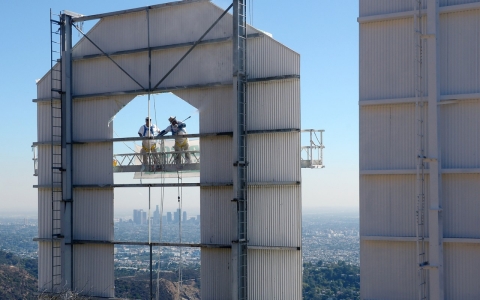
217,215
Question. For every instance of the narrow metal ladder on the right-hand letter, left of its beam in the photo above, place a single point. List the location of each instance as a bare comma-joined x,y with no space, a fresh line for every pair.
420,111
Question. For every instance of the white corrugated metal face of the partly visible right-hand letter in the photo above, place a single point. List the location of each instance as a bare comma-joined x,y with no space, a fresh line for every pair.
387,202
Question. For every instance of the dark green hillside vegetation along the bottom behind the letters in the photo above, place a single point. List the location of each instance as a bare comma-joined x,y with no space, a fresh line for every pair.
18,280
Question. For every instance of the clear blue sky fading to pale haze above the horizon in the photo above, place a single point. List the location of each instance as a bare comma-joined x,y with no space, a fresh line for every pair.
325,33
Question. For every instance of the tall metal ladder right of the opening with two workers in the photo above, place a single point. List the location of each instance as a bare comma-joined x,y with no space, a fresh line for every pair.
241,164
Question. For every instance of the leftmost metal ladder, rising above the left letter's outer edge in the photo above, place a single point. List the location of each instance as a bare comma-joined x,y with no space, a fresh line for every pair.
56,149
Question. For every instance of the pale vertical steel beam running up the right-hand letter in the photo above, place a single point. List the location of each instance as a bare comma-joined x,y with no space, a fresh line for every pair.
435,222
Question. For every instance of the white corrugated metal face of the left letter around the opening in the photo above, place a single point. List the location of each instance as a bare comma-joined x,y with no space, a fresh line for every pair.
273,157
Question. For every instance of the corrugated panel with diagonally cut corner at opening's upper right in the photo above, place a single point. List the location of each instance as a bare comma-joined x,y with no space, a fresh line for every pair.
215,106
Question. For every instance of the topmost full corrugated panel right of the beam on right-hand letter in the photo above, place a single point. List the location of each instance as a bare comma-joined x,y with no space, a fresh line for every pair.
459,61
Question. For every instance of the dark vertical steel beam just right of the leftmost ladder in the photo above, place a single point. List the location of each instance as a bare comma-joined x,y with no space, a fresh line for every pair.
67,209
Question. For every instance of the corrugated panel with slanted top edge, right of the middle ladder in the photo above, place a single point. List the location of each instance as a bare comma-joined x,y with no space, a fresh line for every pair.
267,57
